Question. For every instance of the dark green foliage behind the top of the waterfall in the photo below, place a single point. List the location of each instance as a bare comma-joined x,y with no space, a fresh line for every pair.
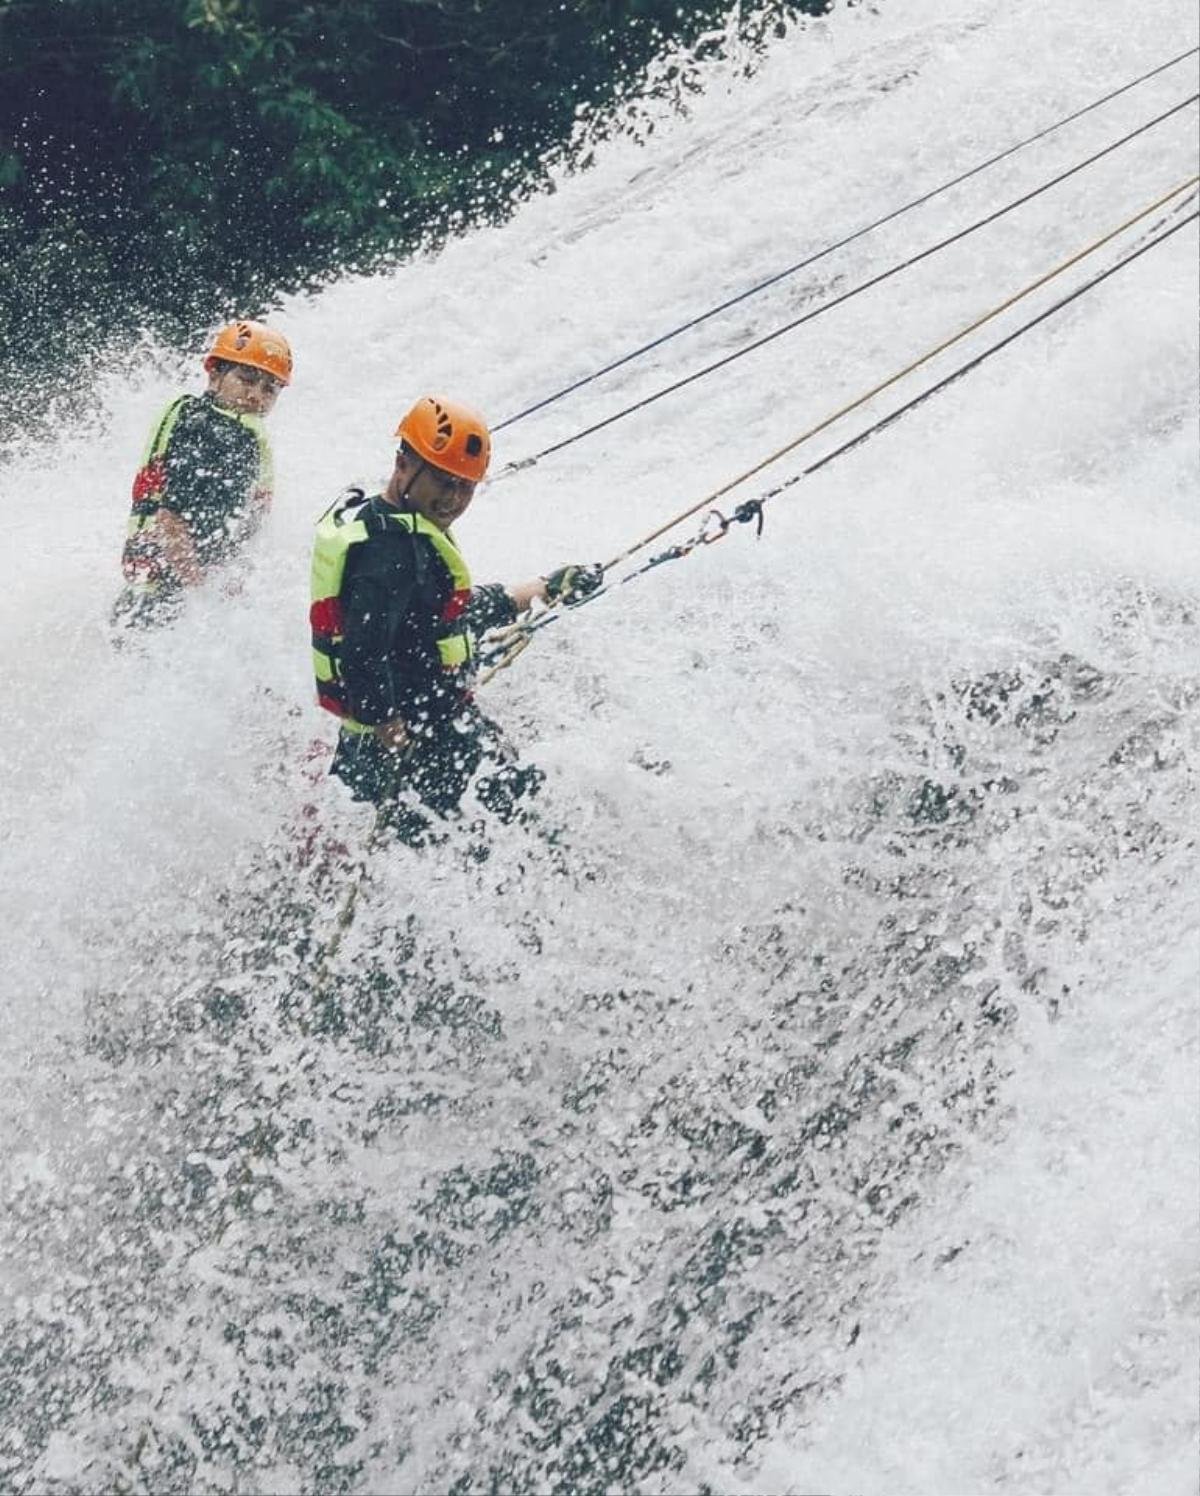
170,162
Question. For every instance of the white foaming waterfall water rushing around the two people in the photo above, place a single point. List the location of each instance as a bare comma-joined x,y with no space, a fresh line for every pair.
822,1114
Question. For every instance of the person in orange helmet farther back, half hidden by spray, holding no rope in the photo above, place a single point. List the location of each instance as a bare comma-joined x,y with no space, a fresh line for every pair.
206,479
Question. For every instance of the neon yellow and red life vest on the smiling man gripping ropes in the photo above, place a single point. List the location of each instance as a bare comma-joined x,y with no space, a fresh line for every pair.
340,529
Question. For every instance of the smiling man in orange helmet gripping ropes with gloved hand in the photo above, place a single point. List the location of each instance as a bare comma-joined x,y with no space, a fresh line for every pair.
396,617
